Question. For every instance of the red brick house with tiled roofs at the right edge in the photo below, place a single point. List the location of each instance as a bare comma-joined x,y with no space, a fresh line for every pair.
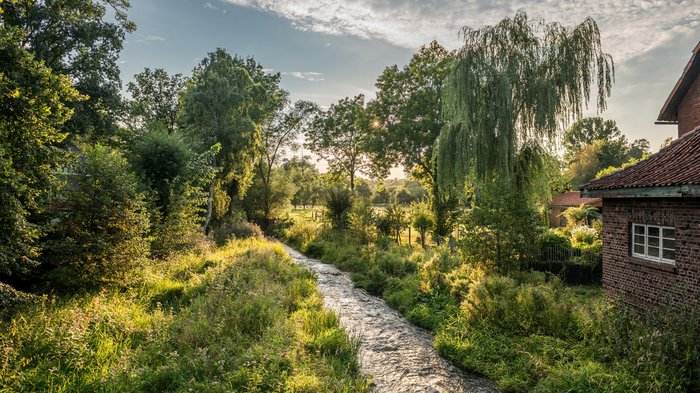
651,220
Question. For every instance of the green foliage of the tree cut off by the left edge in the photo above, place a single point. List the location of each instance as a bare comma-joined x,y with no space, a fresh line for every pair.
34,105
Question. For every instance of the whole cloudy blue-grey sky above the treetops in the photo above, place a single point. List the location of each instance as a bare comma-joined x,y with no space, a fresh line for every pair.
327,50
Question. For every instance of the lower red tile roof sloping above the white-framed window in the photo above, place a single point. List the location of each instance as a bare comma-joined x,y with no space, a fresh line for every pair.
676,164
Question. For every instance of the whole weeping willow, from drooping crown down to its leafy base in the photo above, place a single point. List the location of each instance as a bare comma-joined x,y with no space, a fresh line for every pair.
514,88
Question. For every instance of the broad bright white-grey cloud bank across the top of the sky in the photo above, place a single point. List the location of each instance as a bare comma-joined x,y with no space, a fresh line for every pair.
628,27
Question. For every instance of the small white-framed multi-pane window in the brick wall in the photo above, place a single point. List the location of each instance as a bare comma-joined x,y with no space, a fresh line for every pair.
654,242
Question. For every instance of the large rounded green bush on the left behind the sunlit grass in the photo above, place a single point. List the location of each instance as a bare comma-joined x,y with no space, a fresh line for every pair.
101,234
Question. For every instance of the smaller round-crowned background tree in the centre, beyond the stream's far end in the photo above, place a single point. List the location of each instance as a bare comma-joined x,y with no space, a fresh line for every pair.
342,135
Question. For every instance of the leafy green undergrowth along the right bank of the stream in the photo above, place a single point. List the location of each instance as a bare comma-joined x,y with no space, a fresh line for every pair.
527,332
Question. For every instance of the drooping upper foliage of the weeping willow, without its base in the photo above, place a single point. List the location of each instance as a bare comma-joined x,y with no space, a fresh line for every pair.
513,89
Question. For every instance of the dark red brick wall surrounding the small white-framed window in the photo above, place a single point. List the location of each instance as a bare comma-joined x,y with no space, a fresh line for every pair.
642,283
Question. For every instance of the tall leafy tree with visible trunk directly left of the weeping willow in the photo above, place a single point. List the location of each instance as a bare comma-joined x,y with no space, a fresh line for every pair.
408,112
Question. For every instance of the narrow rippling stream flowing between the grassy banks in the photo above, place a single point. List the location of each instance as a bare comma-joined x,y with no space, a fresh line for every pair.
396,354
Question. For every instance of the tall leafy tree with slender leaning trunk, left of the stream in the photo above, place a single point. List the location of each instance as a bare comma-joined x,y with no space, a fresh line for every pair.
227,101
